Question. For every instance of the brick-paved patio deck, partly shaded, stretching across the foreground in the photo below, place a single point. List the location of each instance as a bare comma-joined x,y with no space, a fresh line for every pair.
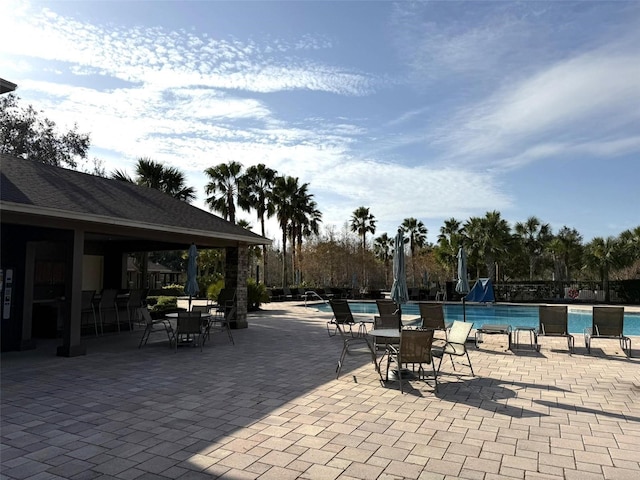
270,408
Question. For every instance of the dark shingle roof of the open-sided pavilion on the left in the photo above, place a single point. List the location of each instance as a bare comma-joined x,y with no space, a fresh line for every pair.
44,190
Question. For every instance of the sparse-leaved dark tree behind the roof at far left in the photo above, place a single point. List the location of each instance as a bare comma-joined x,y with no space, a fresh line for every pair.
25,134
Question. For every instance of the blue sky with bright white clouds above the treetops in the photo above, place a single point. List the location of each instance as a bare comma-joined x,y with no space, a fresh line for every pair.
429,110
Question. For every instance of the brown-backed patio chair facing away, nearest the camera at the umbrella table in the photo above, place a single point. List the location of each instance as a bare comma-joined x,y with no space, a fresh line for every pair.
414,348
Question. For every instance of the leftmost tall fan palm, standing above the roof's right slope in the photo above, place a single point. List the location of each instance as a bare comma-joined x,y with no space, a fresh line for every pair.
223,189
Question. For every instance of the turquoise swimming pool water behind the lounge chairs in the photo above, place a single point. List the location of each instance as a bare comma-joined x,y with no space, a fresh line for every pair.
514,315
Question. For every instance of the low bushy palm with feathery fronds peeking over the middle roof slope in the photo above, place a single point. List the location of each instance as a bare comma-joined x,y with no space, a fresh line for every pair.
152,174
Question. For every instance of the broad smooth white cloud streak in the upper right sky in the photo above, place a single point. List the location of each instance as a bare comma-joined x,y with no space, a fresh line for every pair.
582,99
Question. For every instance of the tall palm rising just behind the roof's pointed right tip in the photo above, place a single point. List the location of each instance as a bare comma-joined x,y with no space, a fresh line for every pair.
256,187
